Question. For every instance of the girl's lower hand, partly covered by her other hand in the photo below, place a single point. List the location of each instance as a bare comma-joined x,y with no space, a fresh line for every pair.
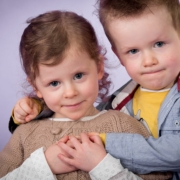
58,166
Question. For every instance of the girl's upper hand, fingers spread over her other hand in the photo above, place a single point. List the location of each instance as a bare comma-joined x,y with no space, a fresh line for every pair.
85,154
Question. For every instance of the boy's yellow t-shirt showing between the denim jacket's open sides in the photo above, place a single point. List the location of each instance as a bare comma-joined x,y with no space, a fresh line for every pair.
148,104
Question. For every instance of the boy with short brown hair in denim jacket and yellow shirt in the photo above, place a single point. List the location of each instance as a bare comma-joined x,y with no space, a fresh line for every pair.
145,37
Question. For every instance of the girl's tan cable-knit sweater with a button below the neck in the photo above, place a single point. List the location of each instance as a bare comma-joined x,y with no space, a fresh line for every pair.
42,133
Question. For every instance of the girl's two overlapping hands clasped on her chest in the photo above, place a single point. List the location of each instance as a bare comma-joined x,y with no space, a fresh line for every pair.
71,153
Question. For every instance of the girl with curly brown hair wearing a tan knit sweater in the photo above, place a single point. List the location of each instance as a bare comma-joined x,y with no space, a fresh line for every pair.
64,64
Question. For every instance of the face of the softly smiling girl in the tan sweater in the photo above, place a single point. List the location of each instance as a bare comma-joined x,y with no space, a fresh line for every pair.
71,87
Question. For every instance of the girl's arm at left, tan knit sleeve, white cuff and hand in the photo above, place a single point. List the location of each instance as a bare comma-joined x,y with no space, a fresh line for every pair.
41,164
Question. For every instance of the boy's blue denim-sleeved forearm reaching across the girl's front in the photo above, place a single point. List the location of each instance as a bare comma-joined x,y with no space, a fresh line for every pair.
142,155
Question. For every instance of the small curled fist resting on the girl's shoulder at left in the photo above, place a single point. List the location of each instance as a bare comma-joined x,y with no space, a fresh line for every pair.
25,110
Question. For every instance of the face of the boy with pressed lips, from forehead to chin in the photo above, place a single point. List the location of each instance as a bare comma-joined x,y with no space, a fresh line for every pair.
149,48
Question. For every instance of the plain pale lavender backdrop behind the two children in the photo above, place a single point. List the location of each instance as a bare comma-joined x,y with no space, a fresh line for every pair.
13,16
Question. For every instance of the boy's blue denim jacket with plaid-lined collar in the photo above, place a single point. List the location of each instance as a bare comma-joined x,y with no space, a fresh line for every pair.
142,155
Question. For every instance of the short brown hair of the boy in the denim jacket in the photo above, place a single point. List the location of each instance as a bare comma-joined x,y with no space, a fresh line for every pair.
110,9
